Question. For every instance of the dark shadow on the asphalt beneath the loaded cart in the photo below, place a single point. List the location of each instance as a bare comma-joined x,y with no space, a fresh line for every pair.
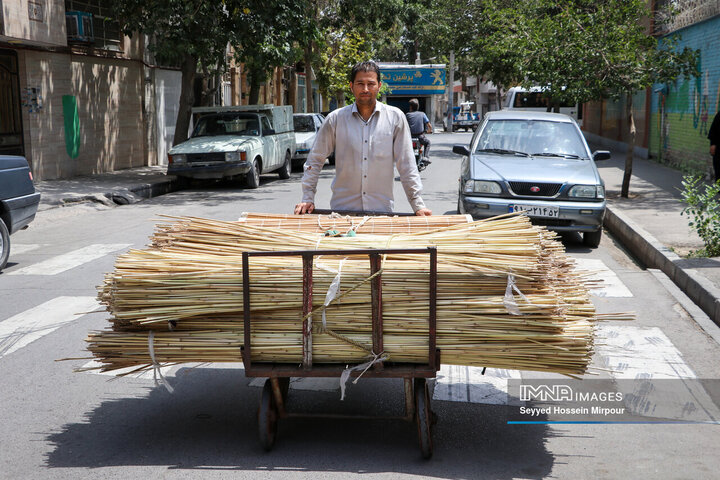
210,423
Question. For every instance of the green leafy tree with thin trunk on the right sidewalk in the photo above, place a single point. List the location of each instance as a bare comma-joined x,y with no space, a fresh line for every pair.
578,50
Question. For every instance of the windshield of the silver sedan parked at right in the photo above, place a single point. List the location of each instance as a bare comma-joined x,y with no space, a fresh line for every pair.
533,137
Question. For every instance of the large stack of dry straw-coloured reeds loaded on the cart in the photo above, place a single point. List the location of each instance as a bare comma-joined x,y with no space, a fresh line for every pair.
507,297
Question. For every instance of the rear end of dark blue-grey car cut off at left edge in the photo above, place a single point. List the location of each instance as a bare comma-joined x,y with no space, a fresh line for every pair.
18,200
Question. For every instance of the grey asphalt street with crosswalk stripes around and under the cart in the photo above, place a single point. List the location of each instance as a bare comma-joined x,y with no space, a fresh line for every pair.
60,424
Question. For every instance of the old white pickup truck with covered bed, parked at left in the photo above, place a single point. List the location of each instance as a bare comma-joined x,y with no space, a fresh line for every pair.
236,142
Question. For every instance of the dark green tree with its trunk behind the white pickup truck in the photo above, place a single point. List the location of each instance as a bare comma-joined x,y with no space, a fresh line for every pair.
194,34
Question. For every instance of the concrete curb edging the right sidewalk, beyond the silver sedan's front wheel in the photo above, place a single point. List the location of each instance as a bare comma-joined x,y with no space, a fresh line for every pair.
654,254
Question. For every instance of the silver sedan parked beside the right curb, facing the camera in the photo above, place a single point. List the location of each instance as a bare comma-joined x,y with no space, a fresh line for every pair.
534,162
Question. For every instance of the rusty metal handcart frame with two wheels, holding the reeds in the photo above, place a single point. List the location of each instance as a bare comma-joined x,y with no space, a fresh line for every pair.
274,395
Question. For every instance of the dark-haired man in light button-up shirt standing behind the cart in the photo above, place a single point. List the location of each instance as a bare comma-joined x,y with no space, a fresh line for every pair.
369,139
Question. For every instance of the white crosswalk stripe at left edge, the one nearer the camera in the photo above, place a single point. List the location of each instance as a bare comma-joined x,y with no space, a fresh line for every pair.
26,327
